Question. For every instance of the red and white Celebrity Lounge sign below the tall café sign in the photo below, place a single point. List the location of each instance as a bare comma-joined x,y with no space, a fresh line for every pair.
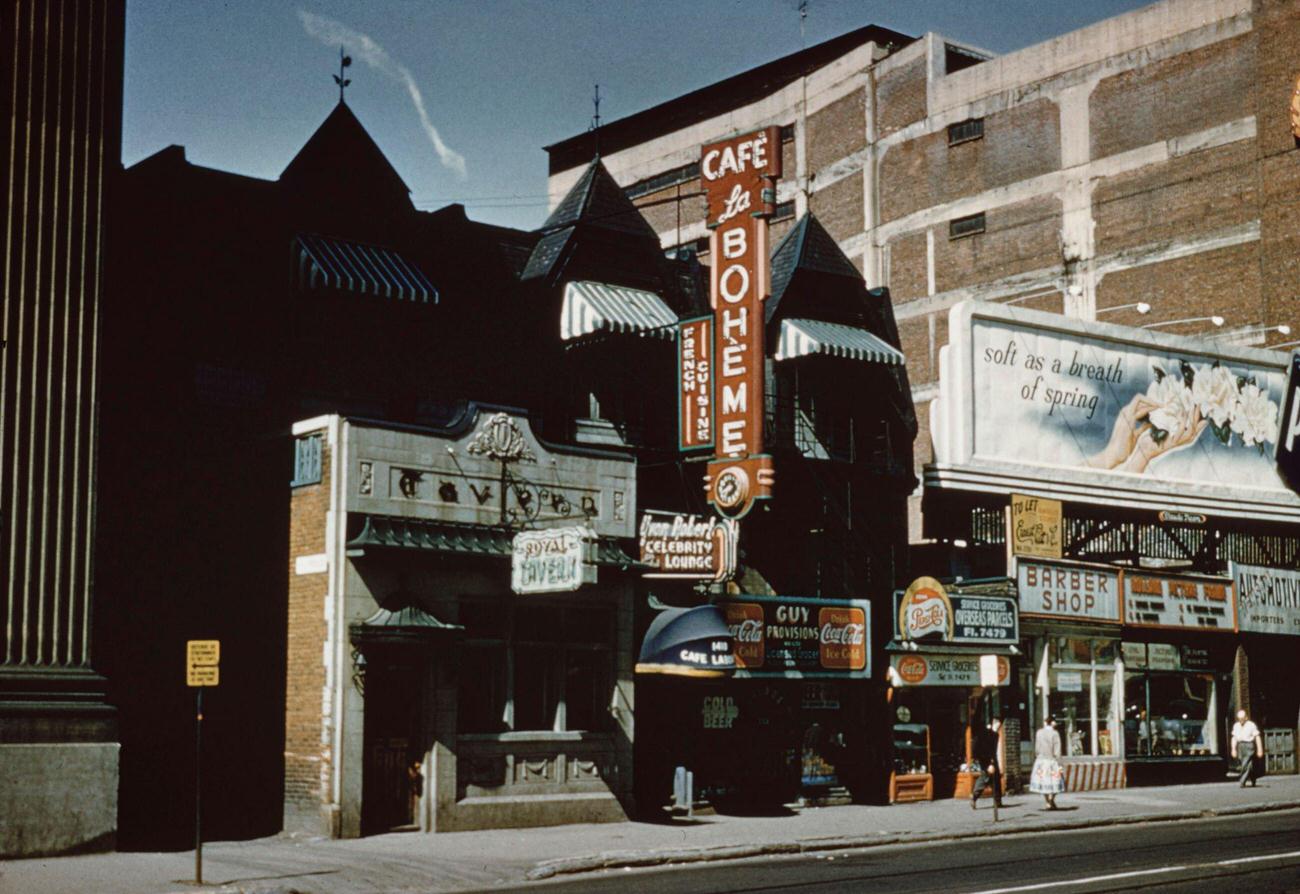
687,546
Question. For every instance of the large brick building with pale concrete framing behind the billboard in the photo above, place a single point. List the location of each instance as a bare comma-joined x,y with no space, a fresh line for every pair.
1147,158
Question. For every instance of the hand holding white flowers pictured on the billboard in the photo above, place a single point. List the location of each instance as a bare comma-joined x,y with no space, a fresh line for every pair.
1178,407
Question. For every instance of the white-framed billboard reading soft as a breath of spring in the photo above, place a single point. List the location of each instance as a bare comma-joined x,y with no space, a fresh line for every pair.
1050,406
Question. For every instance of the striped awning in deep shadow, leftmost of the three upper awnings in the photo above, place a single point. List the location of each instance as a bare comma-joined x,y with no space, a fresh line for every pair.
322,263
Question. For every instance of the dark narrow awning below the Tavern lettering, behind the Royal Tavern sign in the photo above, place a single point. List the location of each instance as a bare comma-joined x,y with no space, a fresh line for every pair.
458,539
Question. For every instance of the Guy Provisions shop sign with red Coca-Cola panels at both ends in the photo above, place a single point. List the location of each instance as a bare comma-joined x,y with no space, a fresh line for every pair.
794,637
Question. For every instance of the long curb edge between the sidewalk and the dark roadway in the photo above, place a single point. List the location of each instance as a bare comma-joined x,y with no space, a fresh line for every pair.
682,856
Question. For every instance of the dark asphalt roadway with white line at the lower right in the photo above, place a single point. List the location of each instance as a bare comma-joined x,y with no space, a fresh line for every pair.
1259,853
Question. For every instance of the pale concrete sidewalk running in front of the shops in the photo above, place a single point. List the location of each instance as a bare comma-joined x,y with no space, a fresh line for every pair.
470,861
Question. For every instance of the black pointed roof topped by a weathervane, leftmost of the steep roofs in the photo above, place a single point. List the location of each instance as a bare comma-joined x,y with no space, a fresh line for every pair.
341,149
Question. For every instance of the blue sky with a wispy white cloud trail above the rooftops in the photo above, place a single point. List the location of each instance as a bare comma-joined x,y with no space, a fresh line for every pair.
242,84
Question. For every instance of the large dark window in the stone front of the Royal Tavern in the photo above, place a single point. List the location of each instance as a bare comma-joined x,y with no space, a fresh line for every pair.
535,669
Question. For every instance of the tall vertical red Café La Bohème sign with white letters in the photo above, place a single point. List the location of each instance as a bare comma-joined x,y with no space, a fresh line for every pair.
739,177
